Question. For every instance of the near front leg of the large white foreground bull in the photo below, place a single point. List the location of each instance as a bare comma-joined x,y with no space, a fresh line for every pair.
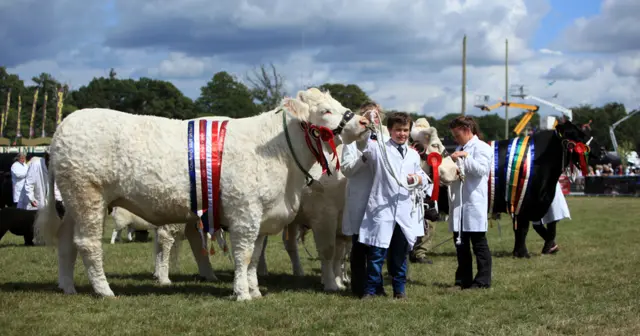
243,242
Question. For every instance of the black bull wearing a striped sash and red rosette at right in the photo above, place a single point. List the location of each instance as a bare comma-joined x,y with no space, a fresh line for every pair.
553,152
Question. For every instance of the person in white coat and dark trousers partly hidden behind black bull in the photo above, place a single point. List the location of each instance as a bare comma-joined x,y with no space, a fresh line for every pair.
557,211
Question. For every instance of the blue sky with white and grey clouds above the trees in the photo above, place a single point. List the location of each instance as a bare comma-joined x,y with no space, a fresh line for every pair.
406,54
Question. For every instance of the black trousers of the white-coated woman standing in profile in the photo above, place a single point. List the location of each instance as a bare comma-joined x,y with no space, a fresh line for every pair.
464,273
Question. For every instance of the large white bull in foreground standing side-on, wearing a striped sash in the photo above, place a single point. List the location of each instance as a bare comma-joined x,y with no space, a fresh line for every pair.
140,163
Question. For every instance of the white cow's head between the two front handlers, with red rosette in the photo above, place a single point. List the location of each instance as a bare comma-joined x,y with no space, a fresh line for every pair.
426,141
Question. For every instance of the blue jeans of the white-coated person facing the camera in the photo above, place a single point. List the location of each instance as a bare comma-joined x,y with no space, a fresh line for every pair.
396,264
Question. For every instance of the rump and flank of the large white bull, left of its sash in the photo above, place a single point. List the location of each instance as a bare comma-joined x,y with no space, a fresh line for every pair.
140,162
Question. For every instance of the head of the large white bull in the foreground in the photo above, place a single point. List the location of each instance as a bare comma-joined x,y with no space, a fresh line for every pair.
327,114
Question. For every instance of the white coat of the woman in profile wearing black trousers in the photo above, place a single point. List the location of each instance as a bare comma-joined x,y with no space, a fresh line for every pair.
475,193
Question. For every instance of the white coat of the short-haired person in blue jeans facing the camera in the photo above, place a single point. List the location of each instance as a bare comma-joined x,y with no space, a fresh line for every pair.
388,202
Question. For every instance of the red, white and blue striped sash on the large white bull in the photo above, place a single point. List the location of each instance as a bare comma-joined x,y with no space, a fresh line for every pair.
206,145
